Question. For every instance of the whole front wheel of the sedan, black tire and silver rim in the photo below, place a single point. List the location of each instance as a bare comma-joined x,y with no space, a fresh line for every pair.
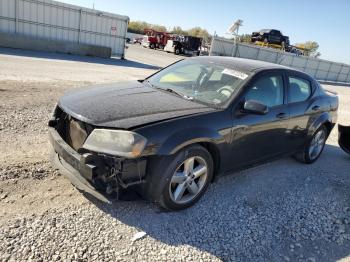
180,181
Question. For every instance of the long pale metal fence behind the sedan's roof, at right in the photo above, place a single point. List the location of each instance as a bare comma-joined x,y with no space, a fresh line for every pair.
318,68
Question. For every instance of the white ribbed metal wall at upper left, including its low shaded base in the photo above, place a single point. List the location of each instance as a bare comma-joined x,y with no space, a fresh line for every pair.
53,26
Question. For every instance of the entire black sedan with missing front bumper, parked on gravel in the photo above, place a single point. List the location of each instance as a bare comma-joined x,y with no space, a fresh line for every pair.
168,136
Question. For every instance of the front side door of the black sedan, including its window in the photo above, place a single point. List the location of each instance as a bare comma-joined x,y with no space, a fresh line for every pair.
259,137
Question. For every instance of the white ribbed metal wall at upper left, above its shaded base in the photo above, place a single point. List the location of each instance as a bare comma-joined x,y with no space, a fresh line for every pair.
53,20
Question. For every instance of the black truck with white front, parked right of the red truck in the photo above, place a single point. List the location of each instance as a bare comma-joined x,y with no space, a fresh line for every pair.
186,45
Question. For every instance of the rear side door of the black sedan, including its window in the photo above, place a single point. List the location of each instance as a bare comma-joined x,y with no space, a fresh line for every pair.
303,107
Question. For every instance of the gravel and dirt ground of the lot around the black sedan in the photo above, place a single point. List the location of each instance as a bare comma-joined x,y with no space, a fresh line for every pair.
281,211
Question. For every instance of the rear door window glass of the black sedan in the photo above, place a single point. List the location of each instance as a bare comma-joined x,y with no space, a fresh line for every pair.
299,89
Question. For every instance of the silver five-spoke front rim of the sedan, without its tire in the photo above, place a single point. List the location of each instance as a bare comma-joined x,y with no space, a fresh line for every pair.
188,180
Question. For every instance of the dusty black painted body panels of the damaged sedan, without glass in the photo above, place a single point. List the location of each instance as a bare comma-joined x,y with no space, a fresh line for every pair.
234,138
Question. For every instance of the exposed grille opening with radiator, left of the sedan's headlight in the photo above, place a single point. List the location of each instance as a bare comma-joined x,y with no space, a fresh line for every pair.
74,132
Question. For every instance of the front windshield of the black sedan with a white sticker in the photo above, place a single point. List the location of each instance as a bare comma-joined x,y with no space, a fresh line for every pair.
204,81
